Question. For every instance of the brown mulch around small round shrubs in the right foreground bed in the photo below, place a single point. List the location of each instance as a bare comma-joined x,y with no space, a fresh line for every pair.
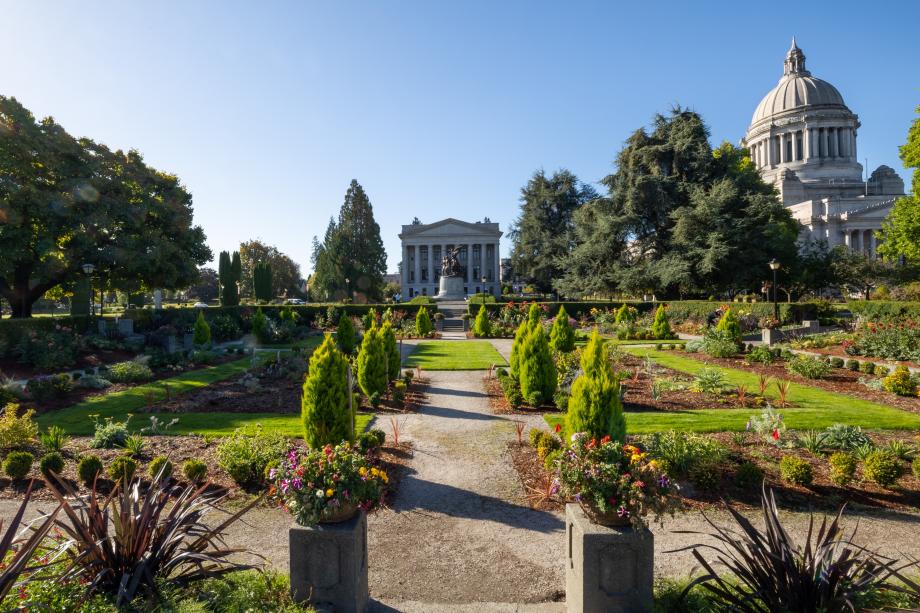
822,495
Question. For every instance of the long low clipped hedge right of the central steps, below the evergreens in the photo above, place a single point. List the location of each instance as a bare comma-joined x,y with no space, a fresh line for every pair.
679,310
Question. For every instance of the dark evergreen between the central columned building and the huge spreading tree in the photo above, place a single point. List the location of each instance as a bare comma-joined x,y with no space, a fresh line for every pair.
543,236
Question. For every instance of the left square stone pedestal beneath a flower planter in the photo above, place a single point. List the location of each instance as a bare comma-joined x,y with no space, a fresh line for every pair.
329,564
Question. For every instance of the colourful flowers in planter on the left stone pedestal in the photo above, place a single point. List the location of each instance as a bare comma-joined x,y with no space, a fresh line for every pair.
326,484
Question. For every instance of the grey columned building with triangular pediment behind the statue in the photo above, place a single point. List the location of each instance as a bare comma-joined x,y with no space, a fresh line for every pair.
425,245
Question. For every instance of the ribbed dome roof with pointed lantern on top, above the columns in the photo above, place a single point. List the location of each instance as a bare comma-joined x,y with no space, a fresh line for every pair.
797,89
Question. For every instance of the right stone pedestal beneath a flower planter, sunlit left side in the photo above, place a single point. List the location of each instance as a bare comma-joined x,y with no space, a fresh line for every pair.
607,569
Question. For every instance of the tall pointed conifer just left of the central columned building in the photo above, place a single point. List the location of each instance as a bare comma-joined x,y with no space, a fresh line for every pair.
352,260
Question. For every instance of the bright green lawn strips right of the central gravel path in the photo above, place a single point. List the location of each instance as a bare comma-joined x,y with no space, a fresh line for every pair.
815,408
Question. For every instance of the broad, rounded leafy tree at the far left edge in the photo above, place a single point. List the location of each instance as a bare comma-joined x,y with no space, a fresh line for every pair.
66,202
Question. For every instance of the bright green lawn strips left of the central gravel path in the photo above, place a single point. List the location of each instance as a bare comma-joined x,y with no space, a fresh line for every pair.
76,420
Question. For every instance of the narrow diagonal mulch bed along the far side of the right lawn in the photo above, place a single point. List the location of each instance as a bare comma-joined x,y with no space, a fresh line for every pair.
840,380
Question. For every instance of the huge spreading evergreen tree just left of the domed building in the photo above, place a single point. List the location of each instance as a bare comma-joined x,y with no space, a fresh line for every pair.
679,218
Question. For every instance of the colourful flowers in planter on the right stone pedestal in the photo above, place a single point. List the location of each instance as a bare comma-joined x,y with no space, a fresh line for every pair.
615,483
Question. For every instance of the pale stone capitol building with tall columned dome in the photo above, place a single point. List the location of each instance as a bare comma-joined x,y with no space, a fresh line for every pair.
802,138
